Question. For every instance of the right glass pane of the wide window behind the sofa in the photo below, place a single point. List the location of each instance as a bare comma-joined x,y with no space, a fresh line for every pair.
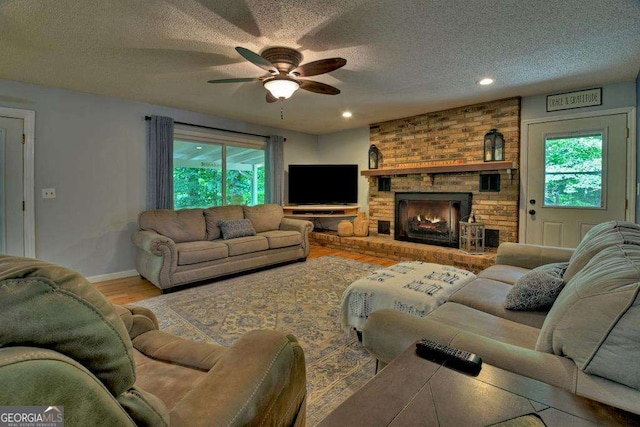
245,176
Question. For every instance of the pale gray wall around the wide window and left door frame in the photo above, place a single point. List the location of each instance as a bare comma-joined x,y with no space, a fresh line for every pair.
91,149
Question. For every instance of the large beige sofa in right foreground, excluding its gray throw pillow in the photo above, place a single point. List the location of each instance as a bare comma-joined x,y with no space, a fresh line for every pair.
588,341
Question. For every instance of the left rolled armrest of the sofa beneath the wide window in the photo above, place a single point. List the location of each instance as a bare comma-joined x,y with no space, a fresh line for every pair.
156,257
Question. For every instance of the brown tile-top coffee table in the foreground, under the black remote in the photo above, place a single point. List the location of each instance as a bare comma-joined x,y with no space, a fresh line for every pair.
412,391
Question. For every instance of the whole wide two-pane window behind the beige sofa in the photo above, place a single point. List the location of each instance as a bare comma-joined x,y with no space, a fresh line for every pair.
210,170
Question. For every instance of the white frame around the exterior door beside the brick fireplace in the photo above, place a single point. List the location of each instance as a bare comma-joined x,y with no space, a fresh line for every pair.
630,214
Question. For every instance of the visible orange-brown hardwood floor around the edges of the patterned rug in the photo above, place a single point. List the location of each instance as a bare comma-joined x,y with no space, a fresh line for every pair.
132,289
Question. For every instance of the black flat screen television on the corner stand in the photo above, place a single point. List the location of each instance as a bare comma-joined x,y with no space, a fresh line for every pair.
323,184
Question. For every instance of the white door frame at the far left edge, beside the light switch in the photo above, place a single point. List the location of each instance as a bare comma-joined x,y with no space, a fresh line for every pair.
29,120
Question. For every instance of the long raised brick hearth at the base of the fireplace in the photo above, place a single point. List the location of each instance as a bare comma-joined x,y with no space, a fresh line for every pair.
403,251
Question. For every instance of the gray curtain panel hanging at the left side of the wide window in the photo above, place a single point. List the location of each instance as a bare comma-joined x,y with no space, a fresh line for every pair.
160,163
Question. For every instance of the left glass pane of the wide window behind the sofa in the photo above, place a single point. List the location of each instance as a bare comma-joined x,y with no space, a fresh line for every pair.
197,174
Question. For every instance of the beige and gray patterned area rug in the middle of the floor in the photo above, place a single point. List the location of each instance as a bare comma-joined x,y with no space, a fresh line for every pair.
302,299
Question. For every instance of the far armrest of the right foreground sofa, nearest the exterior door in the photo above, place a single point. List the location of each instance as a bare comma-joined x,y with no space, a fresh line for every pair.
531,256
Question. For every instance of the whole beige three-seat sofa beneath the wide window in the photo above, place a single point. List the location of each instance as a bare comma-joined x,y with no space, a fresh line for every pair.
180,247
